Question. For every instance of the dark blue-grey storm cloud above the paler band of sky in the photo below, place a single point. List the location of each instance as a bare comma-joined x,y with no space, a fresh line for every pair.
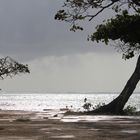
28,30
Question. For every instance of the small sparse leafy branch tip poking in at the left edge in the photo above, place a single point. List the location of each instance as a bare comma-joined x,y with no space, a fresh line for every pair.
10,67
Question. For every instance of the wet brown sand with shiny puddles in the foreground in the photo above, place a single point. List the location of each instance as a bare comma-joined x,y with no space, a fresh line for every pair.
22,125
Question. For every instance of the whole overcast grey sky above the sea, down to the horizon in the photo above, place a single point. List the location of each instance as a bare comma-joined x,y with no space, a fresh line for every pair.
59,60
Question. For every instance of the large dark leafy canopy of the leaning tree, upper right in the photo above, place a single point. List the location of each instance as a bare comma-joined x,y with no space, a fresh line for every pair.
124,27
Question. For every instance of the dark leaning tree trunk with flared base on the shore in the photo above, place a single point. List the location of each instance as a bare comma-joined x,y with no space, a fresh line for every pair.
117,105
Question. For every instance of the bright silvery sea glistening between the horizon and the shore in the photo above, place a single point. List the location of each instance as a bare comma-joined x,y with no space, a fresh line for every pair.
30,101
